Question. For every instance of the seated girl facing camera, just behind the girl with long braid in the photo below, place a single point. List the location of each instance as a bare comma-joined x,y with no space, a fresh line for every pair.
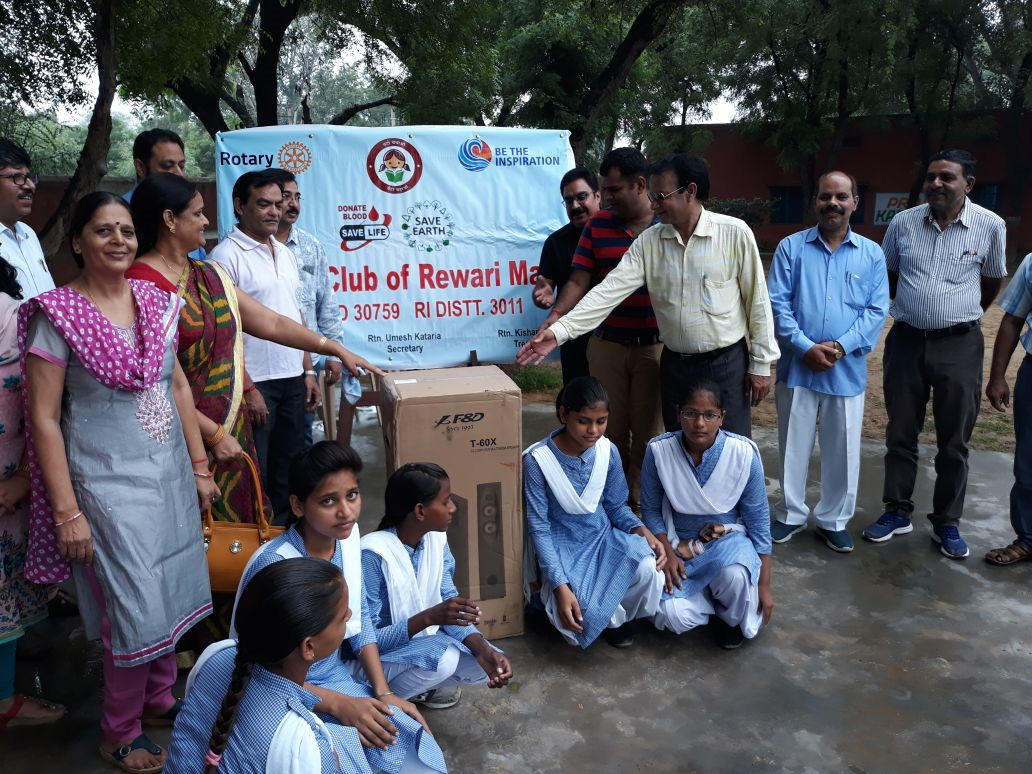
326,504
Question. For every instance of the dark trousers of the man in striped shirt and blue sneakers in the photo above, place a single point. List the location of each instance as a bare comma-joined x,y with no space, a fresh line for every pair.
949,369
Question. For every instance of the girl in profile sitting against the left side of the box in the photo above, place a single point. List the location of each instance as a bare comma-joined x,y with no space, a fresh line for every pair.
427,633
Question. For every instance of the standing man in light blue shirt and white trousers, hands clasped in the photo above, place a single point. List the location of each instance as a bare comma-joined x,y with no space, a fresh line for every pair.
829,294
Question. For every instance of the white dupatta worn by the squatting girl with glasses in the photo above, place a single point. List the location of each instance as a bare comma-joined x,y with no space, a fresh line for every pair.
682,491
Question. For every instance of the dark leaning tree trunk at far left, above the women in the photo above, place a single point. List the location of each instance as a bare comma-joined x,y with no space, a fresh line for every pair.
93,159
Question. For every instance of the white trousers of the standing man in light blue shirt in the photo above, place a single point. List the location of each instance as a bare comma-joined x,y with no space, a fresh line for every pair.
803,417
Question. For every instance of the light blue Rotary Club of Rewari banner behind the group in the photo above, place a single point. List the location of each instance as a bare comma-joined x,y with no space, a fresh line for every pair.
433,234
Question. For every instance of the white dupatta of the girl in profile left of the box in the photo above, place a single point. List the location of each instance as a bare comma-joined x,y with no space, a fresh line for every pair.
409,592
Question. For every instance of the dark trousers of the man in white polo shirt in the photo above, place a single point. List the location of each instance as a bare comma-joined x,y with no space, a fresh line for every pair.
281,438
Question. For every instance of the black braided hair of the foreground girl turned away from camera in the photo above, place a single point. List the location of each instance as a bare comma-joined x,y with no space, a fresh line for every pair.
284,604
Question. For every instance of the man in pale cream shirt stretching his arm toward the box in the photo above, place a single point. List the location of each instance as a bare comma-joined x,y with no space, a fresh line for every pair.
707,287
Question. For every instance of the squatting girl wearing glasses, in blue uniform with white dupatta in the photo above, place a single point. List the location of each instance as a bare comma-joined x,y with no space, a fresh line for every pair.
703,497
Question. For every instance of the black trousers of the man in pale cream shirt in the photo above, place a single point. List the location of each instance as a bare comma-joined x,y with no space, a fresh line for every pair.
727,367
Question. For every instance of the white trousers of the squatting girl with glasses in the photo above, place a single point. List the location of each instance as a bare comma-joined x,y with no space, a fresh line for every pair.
729,596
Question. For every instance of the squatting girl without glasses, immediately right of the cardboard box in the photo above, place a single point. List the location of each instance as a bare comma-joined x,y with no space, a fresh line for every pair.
600,565
